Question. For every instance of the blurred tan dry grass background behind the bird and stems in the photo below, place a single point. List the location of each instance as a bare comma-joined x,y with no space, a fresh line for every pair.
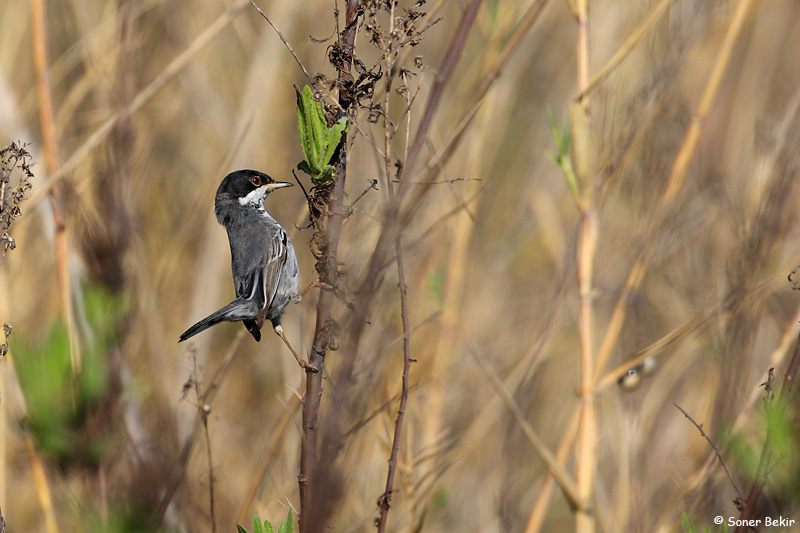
490,263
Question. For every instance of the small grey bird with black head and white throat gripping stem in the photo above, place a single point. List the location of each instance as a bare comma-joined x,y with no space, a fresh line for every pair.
263,262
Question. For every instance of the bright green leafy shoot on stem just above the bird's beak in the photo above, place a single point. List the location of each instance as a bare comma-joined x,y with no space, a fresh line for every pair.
318,141
